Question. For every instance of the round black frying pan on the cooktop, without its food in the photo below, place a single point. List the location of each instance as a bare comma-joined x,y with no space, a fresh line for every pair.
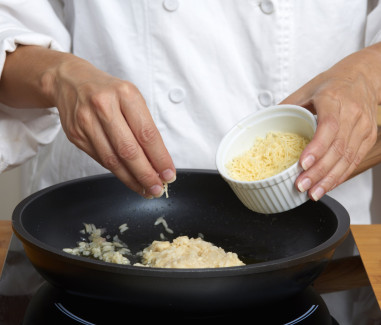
284,252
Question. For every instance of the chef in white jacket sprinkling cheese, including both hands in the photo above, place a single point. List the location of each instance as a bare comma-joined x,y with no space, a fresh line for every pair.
140,88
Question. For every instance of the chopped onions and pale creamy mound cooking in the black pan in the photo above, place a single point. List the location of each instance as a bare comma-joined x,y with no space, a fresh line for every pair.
182,252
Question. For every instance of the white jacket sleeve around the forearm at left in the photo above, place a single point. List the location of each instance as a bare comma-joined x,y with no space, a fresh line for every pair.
23,131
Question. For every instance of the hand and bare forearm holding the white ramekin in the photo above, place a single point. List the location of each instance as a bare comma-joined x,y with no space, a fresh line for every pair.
345,100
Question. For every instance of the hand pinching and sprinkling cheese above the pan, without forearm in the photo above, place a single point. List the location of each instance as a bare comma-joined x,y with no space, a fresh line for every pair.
108,119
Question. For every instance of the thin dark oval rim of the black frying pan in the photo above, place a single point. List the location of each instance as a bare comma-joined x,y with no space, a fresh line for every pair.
312,255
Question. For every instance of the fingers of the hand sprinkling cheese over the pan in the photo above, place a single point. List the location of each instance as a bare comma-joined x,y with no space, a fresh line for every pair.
131,141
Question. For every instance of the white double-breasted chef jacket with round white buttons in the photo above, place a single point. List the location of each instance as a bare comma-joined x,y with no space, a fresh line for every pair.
201,65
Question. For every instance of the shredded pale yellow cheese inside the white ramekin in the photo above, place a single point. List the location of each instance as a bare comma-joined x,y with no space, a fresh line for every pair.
268,156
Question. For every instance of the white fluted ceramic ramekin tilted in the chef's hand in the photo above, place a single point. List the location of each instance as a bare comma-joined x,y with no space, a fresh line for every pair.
277,193
